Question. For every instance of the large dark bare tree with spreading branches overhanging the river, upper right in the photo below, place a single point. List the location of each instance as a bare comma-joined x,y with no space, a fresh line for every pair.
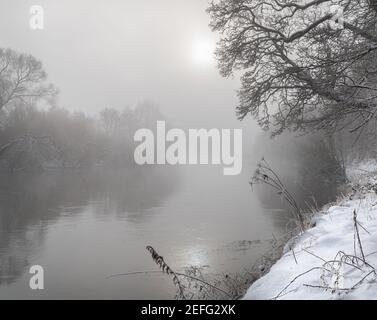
307,65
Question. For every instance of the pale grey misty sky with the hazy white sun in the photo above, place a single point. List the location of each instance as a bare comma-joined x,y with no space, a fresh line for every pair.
116,53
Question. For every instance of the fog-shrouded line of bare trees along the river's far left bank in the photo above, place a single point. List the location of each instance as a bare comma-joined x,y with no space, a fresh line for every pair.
36,134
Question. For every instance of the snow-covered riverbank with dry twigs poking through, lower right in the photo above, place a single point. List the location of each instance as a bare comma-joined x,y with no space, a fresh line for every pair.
329,261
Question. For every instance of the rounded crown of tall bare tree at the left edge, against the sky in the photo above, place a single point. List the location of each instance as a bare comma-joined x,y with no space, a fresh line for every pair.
21,78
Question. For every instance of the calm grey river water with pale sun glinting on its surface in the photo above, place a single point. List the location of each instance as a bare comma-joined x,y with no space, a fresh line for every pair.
82,227
